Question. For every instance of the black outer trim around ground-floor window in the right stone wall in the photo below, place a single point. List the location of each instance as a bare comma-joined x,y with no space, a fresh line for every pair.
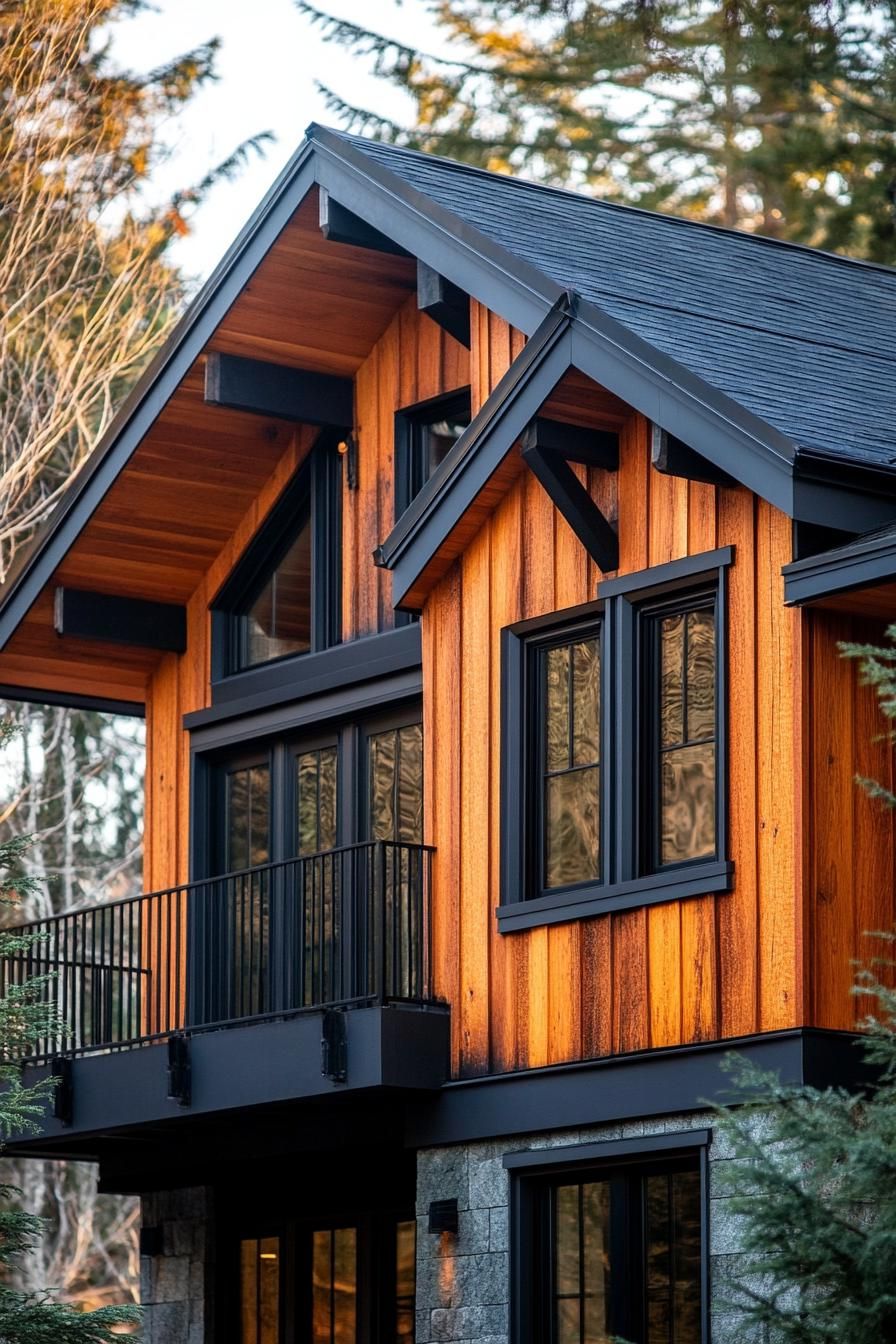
534,1170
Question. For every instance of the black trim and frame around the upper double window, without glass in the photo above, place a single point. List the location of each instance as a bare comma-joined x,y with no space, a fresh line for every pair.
627,886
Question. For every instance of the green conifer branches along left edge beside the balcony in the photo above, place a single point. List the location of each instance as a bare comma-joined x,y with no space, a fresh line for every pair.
25,1019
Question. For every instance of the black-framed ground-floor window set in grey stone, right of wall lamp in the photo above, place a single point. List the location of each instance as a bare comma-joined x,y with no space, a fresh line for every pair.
611,1247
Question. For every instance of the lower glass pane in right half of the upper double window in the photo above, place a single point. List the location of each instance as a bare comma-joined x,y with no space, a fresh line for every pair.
688,803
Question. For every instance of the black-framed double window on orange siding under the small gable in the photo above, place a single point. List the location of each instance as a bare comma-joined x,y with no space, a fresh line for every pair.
613,748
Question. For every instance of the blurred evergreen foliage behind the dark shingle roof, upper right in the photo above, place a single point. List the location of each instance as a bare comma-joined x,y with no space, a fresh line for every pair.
764,115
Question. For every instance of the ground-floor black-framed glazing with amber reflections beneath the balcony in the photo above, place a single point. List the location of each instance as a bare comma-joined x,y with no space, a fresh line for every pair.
350,1283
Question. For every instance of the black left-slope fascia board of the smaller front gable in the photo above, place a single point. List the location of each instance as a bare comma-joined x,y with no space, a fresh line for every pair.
480,450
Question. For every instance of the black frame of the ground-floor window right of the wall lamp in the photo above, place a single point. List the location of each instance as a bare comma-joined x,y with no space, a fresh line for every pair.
535,1174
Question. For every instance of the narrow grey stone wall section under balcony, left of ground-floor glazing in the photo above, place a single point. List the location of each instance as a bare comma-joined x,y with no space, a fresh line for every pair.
177,1287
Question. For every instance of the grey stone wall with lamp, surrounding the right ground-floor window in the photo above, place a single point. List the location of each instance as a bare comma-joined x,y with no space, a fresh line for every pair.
463,1283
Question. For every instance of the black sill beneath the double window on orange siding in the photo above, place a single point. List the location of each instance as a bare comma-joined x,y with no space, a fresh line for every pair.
694,880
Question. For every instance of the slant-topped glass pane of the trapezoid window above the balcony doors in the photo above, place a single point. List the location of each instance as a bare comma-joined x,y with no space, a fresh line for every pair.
279,622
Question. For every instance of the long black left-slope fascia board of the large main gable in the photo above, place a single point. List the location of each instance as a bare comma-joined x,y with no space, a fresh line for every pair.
154,390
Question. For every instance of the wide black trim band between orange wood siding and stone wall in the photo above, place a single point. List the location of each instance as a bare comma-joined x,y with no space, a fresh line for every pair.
627,1088
